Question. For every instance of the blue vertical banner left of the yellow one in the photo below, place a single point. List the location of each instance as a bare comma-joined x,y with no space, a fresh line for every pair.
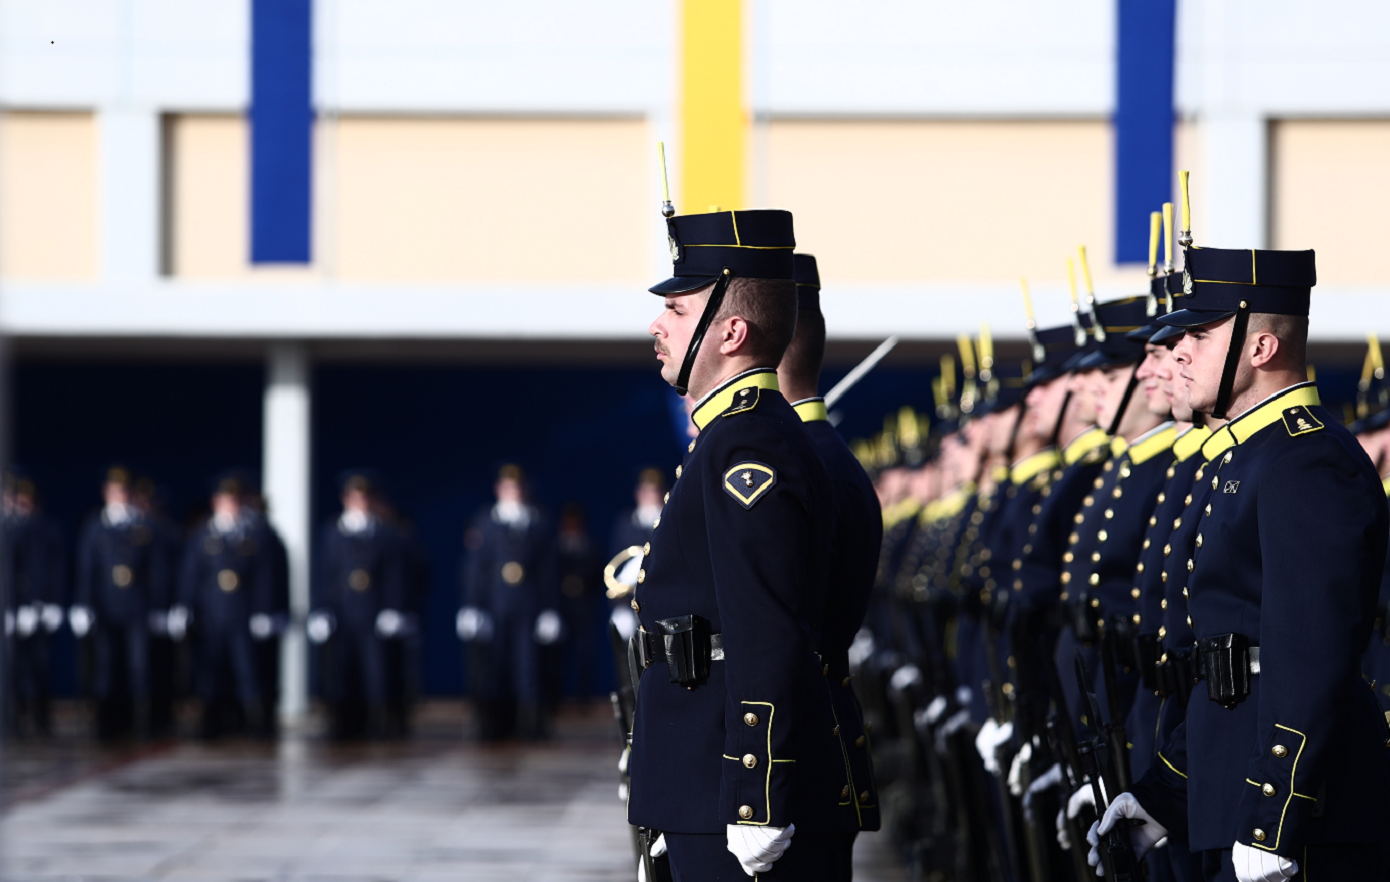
281,131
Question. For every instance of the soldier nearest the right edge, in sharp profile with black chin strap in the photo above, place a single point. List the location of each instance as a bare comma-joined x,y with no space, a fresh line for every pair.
1281,769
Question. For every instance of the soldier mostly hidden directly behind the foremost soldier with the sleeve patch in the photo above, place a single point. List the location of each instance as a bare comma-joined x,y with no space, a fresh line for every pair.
854,558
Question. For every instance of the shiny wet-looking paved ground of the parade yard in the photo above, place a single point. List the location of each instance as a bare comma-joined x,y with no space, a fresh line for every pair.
434,808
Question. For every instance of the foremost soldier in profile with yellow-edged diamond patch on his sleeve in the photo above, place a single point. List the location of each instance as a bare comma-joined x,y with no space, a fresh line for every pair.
736,758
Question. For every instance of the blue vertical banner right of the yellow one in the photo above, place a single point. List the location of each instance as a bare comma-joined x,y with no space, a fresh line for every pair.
1143,122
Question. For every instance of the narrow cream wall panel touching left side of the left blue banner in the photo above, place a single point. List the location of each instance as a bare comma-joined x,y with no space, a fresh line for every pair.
209,195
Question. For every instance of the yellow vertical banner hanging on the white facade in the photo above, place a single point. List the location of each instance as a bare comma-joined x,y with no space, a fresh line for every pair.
714,119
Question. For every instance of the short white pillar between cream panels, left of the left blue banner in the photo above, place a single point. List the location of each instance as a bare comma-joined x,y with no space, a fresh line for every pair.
130,181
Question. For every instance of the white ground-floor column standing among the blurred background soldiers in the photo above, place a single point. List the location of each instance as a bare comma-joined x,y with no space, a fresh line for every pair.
287,495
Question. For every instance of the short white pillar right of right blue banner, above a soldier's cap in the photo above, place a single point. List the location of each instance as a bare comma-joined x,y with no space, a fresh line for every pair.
1238,181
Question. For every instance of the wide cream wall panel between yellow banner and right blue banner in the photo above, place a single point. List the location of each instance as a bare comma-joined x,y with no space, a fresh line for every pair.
913,201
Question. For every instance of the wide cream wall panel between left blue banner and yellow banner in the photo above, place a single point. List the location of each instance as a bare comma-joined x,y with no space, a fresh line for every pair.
491,199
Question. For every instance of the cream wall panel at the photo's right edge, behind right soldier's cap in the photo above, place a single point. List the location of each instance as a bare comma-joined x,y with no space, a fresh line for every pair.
1331,185
